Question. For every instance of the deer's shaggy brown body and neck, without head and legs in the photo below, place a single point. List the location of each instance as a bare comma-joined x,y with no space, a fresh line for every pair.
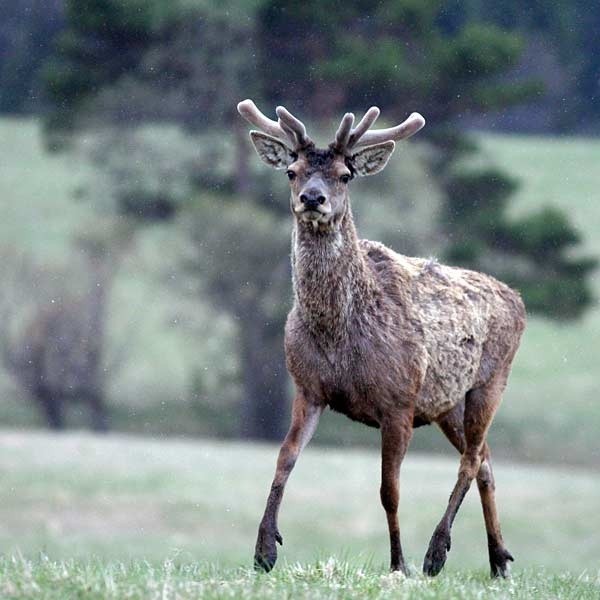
384,330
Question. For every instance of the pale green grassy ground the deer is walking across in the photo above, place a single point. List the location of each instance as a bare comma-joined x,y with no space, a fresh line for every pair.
117,517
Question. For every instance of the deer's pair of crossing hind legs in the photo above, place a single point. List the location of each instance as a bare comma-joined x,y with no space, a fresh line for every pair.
469,438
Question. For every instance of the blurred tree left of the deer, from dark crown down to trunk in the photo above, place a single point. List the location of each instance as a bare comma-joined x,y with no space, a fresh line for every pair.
190,70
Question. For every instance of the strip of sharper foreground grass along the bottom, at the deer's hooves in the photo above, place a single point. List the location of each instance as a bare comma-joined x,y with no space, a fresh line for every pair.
48,579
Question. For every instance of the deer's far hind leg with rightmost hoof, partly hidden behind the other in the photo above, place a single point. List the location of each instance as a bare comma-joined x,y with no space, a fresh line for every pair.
453,428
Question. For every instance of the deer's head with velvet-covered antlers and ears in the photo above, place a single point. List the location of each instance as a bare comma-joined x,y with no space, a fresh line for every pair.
319,178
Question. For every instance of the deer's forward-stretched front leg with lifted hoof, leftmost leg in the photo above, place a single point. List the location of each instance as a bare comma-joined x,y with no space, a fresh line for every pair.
305,417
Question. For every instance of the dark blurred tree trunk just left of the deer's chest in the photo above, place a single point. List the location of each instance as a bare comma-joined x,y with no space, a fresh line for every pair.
265,405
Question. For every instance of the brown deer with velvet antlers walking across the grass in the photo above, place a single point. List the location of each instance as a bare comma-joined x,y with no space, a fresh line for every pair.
391,341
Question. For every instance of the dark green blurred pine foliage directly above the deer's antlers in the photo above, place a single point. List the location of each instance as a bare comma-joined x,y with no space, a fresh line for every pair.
396,55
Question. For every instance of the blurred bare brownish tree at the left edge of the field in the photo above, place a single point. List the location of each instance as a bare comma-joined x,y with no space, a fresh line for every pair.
53,332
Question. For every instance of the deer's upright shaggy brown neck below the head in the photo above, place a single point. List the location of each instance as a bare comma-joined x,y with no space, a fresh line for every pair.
331,280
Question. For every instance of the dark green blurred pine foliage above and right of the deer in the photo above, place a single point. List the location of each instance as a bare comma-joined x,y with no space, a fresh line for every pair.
447,64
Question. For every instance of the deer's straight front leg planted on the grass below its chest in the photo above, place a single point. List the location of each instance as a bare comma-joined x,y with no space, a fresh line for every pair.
395,437
